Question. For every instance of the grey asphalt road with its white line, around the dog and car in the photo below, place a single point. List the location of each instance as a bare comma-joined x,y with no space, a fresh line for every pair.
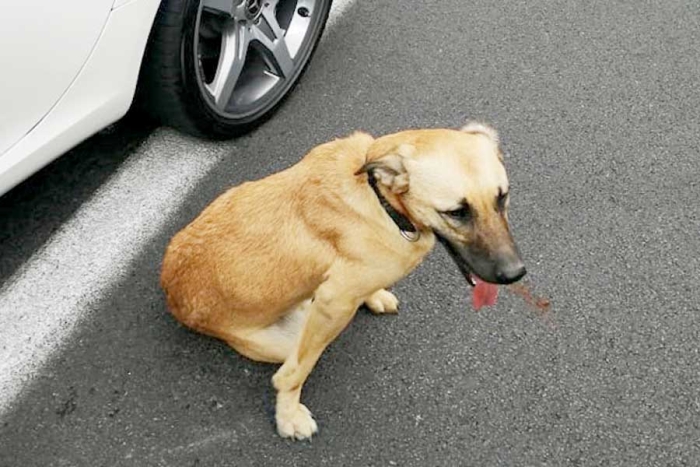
598,106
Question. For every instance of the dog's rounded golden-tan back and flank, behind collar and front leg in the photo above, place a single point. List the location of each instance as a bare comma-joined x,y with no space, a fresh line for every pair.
263,247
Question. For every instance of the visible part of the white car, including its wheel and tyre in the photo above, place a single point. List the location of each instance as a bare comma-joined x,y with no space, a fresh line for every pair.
212,68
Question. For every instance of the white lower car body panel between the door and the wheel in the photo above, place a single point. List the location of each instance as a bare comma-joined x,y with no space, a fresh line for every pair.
100,95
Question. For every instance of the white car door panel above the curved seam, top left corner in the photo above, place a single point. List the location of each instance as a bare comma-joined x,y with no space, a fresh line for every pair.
44,46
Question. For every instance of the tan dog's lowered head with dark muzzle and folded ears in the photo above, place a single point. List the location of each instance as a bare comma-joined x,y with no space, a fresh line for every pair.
455,184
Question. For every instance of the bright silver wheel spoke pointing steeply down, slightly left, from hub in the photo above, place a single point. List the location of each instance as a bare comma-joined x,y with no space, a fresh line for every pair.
234,48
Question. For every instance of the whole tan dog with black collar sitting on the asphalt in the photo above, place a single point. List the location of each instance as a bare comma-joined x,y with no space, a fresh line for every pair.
278,267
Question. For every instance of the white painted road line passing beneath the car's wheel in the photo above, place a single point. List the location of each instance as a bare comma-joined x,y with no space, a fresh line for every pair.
57,287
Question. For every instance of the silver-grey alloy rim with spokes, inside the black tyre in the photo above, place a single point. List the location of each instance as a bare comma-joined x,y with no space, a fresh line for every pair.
249,52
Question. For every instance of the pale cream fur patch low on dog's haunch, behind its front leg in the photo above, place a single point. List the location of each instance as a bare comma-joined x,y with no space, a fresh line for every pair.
274,343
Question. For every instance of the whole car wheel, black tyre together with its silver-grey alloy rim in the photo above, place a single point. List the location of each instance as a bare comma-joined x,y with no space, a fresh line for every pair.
220,68
